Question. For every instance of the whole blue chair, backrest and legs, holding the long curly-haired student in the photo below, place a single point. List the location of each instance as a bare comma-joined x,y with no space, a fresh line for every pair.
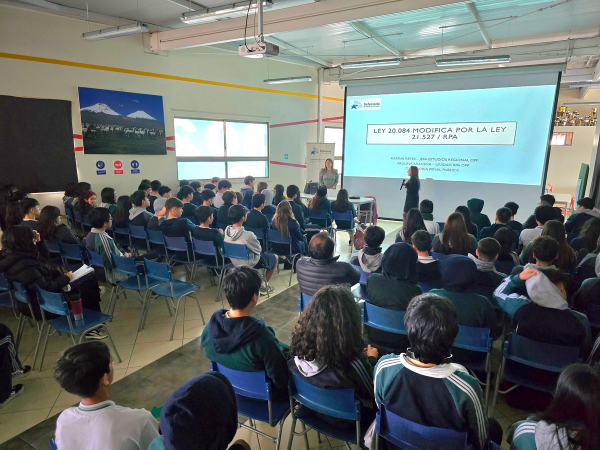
308,403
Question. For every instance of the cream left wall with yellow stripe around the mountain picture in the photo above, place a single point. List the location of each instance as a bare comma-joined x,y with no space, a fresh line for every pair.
43,56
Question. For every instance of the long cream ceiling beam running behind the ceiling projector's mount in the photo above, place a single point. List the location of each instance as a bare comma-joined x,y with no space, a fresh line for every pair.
288,19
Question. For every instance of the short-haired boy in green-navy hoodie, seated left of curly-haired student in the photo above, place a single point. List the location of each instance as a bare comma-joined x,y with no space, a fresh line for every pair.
239,341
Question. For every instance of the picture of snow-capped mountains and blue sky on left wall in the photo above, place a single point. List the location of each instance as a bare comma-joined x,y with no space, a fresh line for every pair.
121,123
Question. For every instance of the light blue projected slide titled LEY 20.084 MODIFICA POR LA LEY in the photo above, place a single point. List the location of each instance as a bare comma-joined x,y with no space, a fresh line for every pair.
495,135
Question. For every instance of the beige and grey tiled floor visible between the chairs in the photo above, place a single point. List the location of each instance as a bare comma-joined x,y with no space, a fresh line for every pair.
153,366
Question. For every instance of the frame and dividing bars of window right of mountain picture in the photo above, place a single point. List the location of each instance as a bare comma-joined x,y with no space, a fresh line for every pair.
225,158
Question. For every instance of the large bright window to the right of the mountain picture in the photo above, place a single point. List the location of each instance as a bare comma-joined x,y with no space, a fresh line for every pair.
219,148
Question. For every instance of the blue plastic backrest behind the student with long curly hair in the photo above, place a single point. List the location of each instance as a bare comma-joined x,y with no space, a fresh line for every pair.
339,403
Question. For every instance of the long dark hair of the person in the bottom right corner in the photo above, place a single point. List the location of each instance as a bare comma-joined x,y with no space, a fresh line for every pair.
575,408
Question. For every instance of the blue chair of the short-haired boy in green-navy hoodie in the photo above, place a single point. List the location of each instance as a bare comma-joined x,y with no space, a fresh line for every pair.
254,400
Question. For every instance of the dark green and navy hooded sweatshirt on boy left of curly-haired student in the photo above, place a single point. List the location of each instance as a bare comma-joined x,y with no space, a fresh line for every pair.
246,344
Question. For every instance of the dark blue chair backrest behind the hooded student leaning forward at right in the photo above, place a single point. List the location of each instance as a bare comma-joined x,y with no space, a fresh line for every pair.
540,355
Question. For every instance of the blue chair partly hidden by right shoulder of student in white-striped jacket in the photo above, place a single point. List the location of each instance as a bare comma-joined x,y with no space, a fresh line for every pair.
476,340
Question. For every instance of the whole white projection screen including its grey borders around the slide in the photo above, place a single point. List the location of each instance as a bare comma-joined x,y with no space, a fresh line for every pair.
482,134
